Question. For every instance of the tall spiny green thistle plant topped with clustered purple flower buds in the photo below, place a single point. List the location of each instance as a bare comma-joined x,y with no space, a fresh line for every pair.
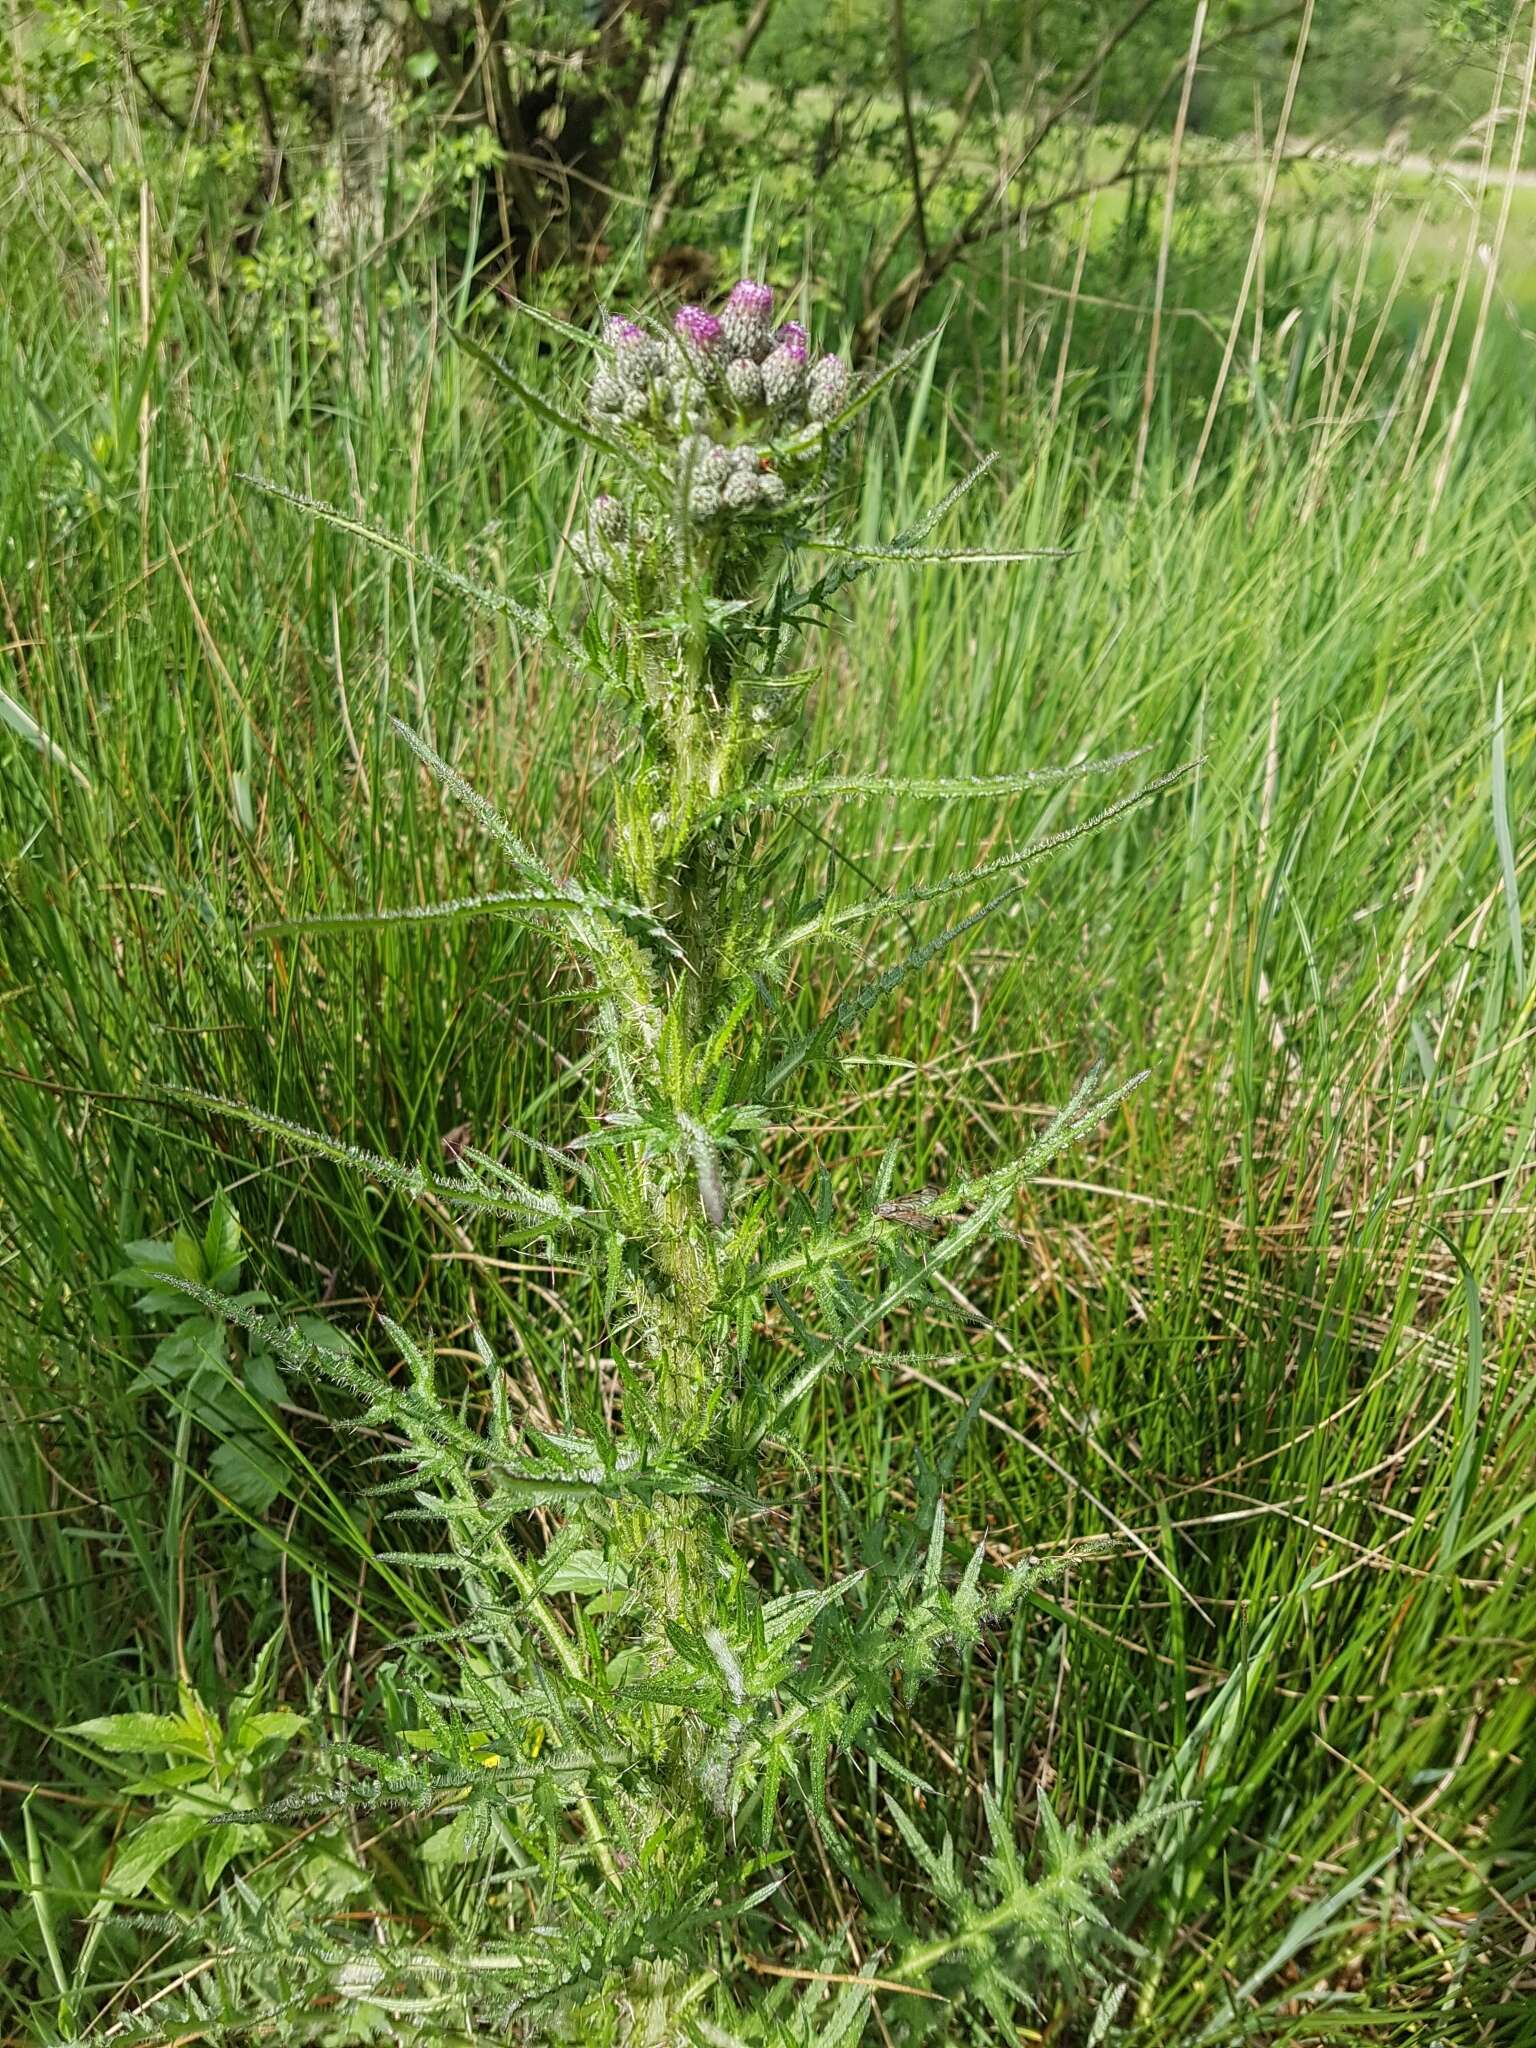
632,1750
